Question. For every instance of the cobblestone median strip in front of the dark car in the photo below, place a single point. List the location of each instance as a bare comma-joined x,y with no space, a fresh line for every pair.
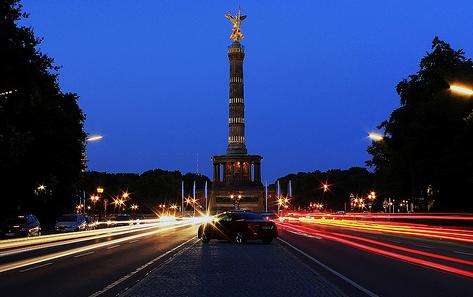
225,269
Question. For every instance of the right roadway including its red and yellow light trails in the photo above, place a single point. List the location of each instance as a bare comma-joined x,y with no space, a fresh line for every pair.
384,258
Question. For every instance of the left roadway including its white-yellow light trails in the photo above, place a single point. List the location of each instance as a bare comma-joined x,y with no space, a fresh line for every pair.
87,264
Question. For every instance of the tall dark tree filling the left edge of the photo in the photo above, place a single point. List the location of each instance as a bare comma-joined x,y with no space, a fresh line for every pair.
41,127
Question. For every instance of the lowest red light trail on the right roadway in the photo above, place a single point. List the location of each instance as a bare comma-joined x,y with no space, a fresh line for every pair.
418,261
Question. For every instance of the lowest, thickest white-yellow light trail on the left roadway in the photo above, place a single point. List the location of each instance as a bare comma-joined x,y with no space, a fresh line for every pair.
56,255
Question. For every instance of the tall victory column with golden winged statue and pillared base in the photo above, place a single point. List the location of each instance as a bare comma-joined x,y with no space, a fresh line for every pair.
236,175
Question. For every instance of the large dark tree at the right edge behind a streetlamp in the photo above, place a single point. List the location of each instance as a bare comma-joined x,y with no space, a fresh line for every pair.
427,151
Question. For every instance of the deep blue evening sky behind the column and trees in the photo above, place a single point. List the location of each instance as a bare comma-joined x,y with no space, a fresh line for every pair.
152,75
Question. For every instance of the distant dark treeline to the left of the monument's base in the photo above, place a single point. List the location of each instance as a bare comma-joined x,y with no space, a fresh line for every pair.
148,189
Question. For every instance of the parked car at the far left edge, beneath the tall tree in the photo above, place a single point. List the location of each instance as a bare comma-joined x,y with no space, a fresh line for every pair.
21,226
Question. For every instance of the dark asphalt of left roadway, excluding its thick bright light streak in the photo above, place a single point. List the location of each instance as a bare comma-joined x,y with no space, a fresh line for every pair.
95,270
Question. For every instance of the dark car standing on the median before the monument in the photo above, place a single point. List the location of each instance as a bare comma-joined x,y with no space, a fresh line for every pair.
238,227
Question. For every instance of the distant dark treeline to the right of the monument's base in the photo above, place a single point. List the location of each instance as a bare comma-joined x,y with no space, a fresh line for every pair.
308,187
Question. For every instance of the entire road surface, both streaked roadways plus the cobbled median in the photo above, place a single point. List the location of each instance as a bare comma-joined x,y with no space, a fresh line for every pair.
301,262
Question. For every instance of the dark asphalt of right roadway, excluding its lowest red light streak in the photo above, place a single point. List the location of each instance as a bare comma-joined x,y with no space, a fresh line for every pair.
347,266
